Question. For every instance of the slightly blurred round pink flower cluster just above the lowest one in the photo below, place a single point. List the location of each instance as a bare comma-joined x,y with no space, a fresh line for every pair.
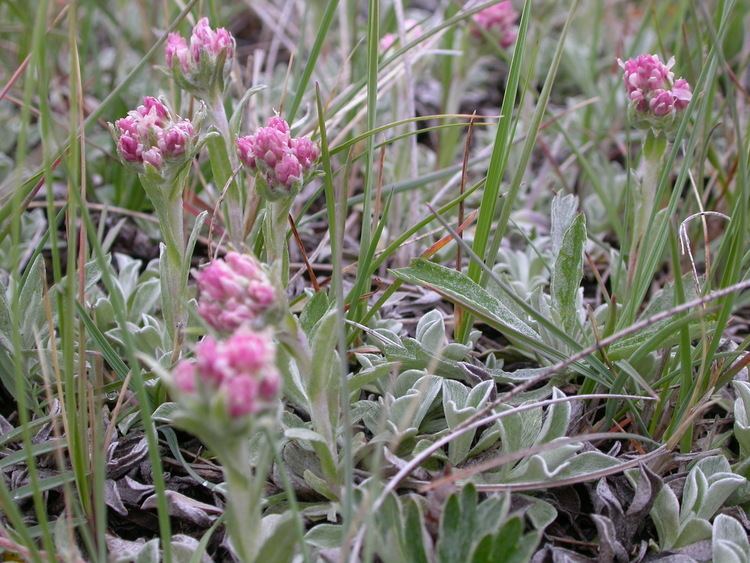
234,291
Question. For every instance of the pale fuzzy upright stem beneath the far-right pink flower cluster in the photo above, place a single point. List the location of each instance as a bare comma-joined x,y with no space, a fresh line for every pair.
654,148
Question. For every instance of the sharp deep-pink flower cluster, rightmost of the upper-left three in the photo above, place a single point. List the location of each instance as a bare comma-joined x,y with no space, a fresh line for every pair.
281,159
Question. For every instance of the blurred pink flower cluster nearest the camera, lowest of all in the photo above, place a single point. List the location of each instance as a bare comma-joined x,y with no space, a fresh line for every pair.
240,370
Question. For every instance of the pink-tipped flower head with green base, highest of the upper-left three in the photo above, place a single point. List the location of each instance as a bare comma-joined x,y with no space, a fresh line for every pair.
201,64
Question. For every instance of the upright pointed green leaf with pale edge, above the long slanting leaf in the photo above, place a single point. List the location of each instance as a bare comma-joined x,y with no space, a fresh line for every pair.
568,273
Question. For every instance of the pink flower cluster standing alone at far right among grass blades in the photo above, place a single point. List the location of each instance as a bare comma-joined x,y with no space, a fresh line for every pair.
651,86
